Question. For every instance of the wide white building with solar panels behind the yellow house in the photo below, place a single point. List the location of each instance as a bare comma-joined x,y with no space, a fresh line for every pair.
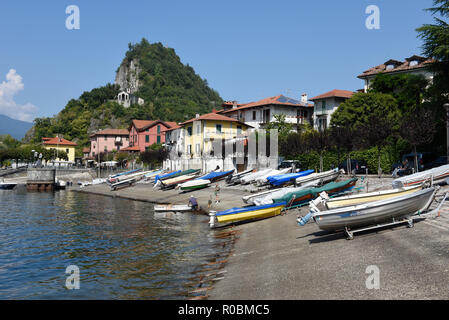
258,114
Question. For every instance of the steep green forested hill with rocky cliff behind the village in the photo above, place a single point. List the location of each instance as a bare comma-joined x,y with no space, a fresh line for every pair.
172,91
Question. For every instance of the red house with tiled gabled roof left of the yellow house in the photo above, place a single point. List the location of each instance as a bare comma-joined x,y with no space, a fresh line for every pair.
144,133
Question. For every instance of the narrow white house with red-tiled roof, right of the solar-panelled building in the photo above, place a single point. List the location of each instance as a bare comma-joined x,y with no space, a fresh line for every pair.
325,106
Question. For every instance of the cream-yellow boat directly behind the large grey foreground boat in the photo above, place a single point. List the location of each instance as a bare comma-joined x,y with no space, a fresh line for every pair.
346,201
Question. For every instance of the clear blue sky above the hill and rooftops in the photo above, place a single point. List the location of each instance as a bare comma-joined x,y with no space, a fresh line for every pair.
247,50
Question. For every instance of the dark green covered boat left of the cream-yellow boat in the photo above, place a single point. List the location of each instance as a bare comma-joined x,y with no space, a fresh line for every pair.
303,197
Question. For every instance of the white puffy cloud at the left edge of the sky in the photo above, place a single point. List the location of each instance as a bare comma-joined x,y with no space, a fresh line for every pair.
8,89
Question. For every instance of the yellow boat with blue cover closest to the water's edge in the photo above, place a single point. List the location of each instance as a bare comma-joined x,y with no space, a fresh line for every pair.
249,213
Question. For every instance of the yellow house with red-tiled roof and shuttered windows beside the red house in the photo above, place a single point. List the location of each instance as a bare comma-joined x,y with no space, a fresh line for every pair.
200,132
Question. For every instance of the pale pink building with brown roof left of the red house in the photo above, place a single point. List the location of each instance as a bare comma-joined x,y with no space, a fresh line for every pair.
108,140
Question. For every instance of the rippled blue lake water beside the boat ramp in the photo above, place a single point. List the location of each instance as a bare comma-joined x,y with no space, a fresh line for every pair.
122,248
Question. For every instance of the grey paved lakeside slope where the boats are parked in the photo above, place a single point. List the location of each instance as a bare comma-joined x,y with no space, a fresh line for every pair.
276,259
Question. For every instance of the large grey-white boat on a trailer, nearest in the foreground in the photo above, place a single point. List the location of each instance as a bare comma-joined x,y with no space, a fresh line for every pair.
375,212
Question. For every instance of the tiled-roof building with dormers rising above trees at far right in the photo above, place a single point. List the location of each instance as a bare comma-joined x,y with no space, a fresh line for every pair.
416,65
